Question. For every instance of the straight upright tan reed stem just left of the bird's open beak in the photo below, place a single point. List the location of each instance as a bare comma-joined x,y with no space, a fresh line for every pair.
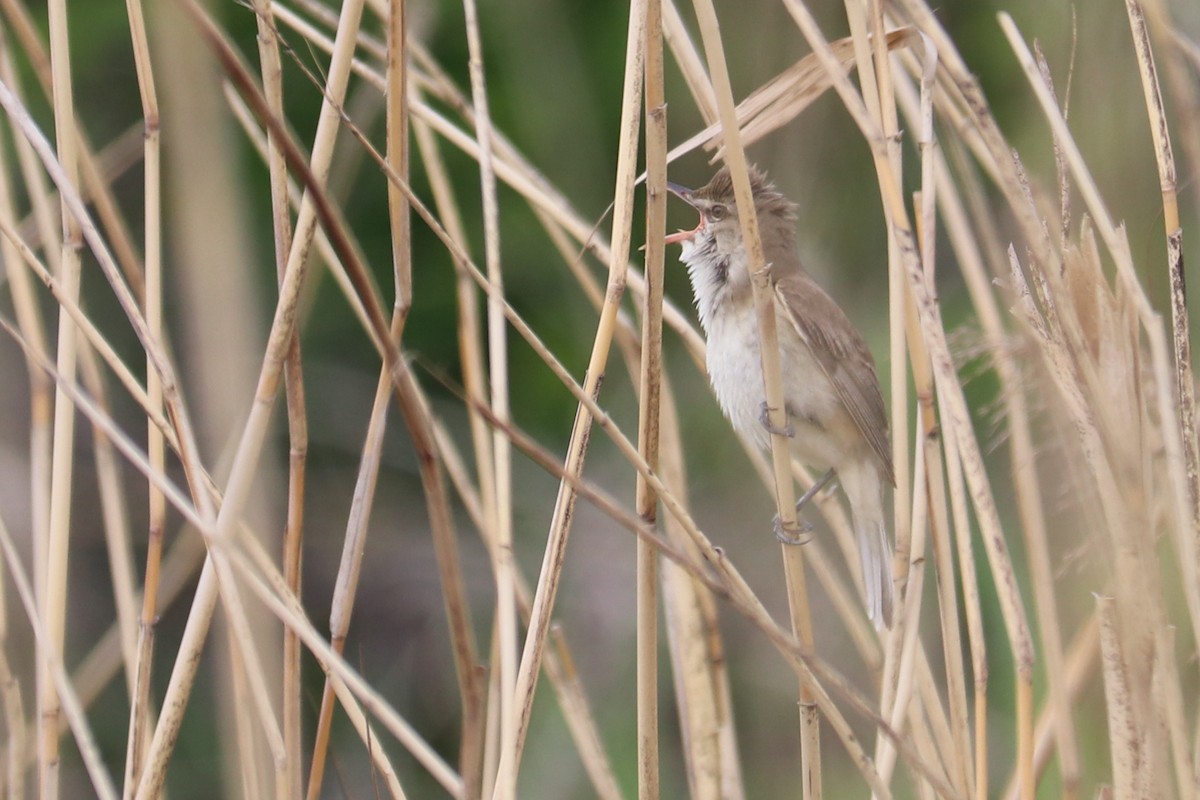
650,405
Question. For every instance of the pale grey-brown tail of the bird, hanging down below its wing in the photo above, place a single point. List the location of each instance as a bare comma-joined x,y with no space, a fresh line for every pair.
865,490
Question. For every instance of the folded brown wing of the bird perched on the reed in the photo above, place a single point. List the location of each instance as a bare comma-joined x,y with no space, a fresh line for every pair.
842,354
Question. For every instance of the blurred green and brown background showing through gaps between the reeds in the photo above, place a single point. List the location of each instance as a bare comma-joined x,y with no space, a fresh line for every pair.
555,80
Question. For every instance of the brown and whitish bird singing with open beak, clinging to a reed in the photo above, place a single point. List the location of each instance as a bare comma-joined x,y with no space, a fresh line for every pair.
835,410
